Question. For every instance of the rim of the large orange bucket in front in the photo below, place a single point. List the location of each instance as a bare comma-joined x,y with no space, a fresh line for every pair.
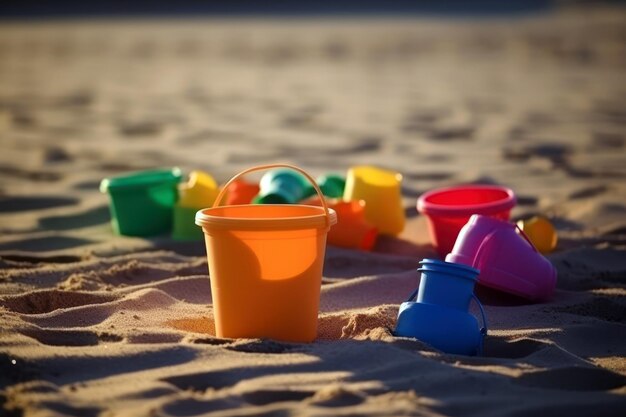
206,220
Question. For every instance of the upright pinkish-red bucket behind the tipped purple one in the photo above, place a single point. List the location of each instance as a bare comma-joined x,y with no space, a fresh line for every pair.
449,209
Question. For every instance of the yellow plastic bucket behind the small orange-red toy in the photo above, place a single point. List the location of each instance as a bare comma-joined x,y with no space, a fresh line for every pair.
381,191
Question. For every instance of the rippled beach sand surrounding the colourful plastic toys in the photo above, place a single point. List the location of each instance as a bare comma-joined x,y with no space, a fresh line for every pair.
92,324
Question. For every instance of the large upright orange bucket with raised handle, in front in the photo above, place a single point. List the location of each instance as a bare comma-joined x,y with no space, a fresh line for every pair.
265,264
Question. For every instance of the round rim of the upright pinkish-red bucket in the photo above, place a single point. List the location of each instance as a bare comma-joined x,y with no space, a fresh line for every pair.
429,208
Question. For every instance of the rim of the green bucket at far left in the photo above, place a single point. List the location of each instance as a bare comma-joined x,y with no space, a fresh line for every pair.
141,179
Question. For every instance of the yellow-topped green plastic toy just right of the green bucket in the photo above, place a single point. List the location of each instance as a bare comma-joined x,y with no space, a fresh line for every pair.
197,193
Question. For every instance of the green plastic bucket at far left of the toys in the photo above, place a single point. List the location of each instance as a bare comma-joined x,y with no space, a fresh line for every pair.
142,202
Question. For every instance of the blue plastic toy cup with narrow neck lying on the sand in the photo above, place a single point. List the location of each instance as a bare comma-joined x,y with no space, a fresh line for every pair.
440,316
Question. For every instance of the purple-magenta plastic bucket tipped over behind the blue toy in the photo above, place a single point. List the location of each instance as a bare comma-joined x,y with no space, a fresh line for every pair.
507,260
